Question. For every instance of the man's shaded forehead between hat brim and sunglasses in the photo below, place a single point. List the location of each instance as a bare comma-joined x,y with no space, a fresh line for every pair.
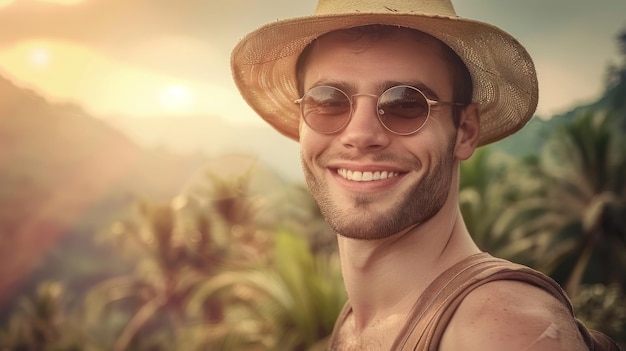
377,53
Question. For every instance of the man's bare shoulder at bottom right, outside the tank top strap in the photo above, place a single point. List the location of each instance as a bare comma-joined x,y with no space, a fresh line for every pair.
511,315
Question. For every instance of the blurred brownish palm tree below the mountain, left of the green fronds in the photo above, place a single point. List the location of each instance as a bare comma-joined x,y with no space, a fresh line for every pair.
176,248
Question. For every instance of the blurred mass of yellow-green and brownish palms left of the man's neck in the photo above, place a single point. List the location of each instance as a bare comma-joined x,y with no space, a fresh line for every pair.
211,274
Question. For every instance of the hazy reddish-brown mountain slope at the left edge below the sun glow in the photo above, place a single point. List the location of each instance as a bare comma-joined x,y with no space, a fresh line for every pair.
64,176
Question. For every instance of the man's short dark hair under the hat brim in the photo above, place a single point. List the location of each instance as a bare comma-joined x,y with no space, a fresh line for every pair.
462,86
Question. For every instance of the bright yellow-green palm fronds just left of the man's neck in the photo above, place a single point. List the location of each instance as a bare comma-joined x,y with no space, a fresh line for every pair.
290,304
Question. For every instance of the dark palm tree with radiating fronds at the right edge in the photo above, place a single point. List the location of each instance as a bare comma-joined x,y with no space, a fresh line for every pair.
577,217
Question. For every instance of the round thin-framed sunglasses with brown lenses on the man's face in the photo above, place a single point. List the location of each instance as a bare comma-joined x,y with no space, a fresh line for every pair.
401,109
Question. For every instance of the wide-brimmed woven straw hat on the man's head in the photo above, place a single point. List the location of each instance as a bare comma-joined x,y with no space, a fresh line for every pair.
503,74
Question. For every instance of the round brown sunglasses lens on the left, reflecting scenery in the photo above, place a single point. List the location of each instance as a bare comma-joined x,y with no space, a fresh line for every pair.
325,109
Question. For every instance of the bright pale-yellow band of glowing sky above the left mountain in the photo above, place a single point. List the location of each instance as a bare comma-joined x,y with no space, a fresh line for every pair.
70,72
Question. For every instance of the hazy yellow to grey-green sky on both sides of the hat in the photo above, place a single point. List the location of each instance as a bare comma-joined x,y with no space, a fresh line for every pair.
156,57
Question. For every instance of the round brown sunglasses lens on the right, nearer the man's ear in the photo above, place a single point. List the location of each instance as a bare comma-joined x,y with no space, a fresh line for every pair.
403,109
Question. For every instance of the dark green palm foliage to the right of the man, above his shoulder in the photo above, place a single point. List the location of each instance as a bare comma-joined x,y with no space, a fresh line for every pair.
562,211
